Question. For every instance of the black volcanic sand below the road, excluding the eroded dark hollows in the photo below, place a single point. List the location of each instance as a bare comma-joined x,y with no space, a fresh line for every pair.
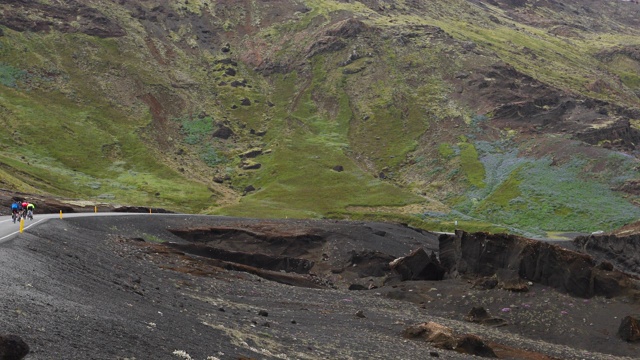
106,288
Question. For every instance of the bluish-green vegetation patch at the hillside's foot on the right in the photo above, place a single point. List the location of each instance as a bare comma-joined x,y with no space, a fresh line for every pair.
536,197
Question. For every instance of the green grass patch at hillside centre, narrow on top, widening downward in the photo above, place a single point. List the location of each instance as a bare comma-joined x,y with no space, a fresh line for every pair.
308,139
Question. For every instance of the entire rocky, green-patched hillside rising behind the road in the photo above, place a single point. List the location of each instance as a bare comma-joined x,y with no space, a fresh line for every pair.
514,115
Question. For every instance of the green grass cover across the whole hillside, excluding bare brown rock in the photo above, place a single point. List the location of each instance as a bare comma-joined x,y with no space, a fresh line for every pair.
367,116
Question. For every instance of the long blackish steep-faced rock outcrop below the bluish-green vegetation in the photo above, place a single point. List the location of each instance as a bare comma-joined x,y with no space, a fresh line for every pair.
482,254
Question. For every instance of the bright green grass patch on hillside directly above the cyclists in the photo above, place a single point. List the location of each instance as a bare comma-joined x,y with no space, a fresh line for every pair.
62,148
